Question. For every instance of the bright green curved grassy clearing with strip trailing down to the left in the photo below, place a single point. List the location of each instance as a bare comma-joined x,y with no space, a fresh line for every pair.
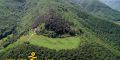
42,41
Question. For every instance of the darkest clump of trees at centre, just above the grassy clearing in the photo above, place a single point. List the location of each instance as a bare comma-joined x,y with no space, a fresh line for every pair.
58,25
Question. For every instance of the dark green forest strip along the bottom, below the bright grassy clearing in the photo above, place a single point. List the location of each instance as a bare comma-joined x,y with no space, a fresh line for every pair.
84,52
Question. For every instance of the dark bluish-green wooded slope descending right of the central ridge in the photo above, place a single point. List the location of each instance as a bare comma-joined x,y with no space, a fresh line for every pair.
105,30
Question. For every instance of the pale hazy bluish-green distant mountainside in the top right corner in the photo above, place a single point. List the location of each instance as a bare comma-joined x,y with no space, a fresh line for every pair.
99,8
